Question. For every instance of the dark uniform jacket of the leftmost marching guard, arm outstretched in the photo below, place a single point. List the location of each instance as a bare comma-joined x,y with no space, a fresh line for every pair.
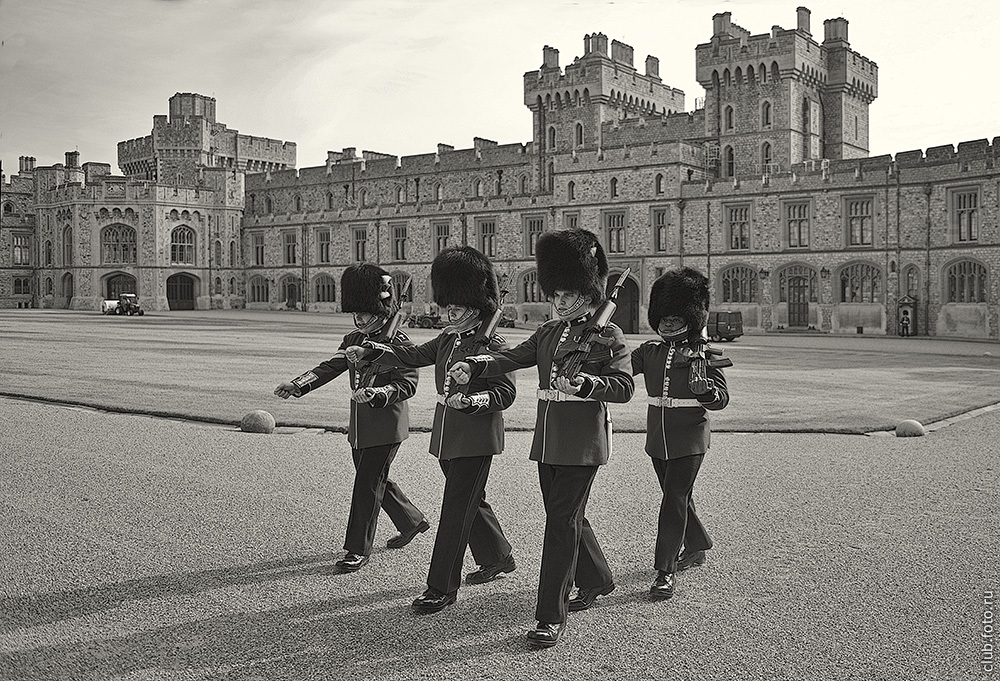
384,420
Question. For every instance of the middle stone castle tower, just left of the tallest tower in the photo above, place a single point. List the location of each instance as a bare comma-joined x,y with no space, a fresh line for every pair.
569,109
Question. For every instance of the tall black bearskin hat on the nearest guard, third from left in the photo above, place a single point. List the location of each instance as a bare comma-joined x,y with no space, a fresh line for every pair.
572,260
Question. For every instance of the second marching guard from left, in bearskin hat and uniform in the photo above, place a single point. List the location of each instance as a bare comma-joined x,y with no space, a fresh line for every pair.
468,428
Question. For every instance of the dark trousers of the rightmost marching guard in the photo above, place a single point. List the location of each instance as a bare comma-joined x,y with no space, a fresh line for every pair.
678,523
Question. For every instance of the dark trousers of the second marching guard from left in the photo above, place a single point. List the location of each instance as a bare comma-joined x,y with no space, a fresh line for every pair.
466,521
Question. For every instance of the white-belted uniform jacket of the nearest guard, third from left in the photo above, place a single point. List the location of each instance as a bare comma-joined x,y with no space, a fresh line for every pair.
571,433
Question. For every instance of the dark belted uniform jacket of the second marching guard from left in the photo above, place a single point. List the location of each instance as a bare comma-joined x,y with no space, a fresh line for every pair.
476,430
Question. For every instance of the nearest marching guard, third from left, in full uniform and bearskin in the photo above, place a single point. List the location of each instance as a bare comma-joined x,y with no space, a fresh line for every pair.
572,436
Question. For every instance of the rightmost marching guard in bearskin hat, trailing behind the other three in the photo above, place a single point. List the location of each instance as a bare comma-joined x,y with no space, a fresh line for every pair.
683,379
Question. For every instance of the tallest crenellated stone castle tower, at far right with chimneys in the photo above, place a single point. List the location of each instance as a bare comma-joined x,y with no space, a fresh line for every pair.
776,99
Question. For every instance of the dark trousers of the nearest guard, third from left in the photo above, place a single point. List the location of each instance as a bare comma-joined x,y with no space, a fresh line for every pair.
570,550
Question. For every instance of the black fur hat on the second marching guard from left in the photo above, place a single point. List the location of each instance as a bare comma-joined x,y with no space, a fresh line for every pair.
461,275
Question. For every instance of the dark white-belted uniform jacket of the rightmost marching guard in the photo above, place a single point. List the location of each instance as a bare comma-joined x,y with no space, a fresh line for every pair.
676,432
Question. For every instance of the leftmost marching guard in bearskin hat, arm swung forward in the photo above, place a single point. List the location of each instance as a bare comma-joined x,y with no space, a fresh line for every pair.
379,419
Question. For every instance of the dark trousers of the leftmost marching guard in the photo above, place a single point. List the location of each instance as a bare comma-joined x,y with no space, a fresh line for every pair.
373,490
